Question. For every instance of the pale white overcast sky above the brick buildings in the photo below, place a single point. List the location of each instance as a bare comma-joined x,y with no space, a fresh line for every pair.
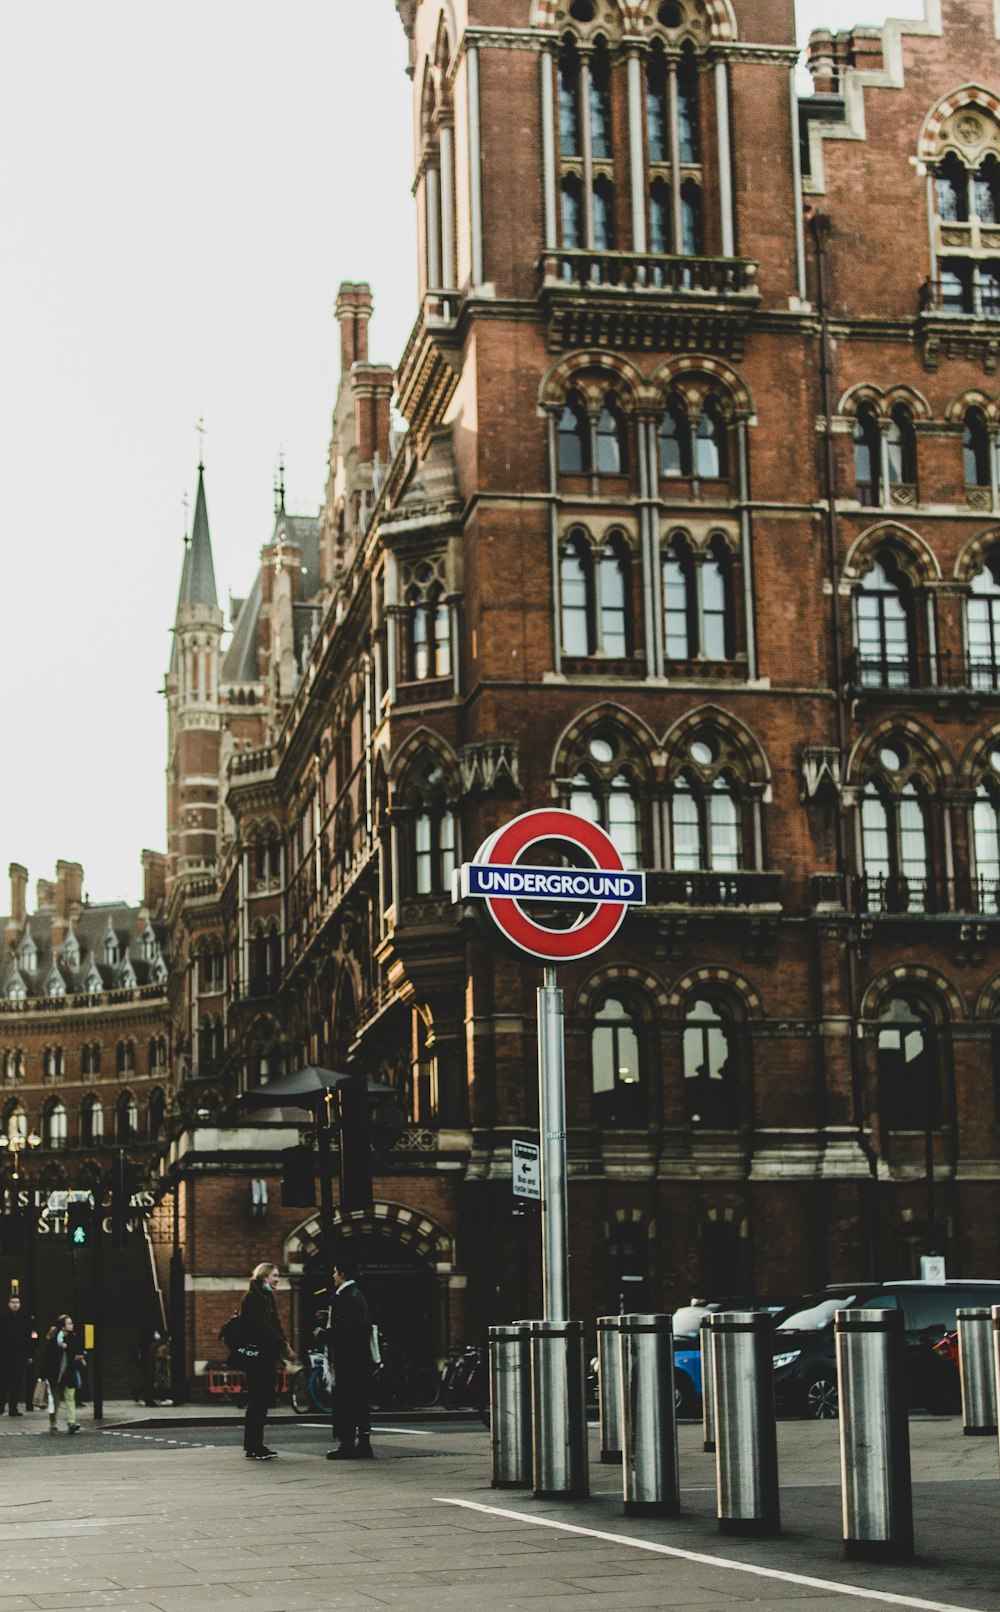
181,193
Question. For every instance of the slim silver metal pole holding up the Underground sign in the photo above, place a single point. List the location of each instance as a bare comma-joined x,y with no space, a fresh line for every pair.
552,1116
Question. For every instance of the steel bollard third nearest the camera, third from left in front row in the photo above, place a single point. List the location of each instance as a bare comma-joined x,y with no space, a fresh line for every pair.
649,1424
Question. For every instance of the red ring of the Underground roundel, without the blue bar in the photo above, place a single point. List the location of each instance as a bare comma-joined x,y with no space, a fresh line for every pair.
554,945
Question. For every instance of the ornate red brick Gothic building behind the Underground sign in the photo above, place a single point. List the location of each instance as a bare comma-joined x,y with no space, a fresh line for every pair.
694,530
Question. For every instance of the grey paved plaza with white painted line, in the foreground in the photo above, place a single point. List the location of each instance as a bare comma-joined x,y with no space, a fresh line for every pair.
162,1516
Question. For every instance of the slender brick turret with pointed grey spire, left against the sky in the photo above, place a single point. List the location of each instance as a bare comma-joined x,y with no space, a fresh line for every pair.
193,696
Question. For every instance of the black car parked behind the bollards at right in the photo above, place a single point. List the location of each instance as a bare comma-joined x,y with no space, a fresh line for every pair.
806,1363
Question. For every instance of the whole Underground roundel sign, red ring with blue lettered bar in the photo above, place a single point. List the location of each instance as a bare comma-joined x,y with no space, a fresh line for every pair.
509,886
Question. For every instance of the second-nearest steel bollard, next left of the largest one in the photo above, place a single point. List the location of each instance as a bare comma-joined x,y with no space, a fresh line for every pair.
746,1463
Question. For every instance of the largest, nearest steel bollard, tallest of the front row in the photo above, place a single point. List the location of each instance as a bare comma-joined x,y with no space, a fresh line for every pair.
875,1435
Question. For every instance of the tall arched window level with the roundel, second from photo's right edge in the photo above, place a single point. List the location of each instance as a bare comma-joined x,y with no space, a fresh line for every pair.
896,841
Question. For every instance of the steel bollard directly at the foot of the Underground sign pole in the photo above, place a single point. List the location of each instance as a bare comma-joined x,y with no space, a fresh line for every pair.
559,1410
